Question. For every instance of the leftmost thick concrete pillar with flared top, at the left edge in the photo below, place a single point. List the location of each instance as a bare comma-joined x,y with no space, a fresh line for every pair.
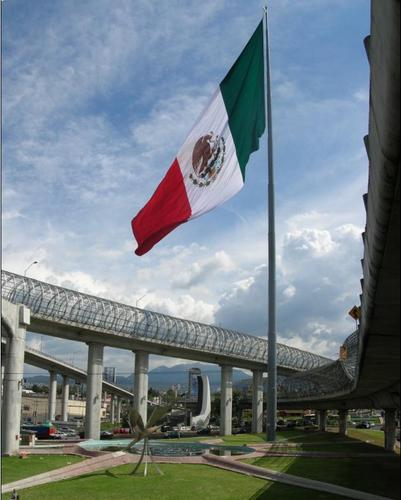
16,318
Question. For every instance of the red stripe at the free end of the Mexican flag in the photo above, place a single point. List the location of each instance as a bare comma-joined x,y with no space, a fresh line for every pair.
168,208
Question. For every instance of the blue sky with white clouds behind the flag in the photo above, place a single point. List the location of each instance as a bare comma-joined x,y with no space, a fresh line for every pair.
98,97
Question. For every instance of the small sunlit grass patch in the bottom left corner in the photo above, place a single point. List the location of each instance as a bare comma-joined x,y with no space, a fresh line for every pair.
14,468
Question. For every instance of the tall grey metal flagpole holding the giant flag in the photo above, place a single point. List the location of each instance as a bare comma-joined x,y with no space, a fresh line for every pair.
271,397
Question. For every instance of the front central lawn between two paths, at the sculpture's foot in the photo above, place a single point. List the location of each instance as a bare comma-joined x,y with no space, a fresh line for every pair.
179,482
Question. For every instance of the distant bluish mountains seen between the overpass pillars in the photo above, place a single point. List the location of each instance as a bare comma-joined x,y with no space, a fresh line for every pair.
163,377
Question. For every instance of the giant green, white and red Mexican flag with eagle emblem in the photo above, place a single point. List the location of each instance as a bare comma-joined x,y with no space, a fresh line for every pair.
210,166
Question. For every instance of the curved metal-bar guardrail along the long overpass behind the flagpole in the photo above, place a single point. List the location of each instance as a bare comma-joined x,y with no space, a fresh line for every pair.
59,304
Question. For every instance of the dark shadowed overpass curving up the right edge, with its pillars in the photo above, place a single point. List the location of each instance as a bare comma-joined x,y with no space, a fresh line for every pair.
368,376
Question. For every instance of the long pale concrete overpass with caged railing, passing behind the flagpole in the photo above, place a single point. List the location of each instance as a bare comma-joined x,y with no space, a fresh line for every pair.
72,315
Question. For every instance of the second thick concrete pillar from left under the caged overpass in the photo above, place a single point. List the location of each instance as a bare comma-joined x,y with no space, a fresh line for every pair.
94,390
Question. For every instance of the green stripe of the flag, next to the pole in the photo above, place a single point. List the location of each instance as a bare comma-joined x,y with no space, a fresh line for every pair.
243,94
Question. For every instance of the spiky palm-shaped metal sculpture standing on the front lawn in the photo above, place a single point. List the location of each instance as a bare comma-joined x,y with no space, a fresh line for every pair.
143,432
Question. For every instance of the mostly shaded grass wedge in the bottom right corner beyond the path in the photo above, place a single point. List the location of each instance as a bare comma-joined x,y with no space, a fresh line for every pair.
380,476
